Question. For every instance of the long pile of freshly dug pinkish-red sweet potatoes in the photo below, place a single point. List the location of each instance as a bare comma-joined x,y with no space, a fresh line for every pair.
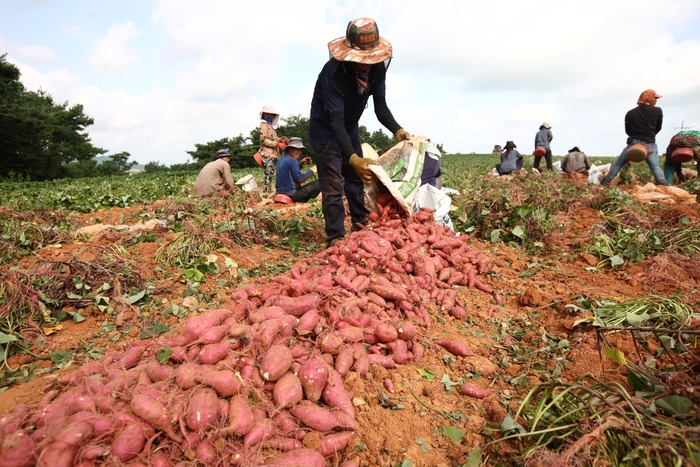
259,382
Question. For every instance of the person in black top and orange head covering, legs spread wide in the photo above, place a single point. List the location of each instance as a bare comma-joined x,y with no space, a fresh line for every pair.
642,124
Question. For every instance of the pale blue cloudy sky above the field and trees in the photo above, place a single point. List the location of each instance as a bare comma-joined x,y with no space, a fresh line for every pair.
159,76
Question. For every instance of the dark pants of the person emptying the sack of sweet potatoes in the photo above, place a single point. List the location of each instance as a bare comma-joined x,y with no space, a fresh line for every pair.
336,177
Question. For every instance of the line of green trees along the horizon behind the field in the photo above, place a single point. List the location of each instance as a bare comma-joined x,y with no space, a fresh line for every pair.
44,140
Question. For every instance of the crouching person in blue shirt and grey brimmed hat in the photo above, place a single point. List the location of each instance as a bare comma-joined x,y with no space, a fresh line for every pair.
290,179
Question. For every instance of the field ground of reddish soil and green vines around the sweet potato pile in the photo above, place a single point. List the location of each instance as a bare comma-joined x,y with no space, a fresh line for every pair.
586,350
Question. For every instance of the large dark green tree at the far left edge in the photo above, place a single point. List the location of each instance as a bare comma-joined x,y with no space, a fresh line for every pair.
39,138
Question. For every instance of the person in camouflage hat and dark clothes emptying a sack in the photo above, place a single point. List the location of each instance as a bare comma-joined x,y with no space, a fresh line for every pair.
355,71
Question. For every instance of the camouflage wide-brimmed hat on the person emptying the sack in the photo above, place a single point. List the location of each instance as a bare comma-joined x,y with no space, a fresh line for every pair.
361,43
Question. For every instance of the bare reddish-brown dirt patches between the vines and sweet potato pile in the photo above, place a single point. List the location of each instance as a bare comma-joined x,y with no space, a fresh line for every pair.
504,338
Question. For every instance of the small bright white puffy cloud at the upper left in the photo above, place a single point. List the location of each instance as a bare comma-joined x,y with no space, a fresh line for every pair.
112,53
